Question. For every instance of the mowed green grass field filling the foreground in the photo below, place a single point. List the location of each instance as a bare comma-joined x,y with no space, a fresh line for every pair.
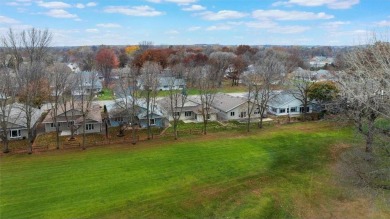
281,171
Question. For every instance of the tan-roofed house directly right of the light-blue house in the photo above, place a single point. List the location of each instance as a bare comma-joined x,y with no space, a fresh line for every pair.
191,111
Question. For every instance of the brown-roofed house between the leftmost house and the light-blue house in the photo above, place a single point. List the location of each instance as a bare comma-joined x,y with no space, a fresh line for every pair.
72,116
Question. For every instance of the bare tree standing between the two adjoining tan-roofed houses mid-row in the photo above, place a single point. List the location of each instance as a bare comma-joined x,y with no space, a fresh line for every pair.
207,89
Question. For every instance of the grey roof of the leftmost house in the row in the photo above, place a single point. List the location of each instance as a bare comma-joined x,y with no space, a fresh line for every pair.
18,116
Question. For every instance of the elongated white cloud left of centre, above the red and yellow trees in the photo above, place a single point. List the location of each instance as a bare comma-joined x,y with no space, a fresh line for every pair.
144,11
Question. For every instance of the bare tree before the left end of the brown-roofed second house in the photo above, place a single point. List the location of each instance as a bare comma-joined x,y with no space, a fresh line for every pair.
58,75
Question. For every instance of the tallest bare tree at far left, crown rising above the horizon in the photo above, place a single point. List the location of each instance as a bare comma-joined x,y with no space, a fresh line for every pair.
34,44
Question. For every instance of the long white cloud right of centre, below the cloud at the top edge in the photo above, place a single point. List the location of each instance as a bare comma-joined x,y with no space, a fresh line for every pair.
289,15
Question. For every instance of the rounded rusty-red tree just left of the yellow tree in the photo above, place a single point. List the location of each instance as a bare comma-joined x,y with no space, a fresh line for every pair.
106,60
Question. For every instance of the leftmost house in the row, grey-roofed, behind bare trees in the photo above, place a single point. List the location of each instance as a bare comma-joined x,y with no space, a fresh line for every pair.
17,121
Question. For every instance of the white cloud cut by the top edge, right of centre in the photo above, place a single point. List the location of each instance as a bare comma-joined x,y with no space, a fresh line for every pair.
333,4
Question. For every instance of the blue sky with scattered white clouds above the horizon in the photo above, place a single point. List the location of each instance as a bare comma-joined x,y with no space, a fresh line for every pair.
178,22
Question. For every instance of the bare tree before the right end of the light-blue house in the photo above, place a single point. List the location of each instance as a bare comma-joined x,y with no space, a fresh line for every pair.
149,78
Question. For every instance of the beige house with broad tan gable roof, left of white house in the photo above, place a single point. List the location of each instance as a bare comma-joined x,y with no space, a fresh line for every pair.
231,107
